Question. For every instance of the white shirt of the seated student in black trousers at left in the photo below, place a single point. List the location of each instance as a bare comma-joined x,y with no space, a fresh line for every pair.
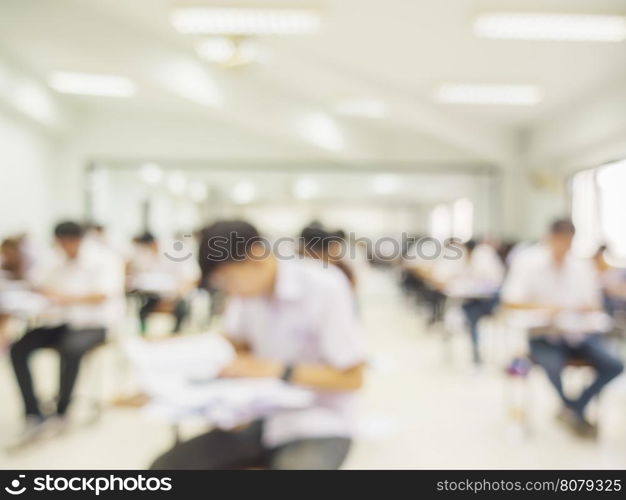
93,271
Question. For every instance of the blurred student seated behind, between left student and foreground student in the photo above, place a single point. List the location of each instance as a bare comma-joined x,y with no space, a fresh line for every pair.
161,281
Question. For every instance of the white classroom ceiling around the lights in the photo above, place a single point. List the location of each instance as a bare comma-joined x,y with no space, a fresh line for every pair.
394,50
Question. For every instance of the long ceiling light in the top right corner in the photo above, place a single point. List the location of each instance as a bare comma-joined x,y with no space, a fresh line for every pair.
551,26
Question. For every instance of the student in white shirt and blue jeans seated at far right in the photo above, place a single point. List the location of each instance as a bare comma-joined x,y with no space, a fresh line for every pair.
568,321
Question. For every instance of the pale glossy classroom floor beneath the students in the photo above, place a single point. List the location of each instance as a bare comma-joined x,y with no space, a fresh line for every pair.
423,406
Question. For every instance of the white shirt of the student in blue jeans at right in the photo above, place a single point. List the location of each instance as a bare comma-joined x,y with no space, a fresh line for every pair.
534,278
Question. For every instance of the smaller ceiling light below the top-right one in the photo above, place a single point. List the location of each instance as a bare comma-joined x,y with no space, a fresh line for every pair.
469,93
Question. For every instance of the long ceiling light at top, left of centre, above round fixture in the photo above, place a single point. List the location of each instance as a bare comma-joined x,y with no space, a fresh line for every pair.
245,21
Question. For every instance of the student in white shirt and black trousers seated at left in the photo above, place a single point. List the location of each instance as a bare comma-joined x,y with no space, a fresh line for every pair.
84,289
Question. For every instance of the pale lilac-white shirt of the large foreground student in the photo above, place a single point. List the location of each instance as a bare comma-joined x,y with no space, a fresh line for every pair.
311,318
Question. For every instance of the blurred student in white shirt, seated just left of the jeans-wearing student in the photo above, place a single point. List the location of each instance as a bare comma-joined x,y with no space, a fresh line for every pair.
476,277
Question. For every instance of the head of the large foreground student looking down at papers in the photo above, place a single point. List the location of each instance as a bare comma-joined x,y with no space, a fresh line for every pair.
234,258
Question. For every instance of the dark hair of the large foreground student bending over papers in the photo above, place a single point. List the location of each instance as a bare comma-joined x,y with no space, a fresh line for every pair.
225,241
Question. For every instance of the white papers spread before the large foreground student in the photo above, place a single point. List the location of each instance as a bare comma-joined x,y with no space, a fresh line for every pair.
180,375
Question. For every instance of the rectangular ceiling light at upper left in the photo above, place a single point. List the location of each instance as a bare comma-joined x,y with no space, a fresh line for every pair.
92,84
